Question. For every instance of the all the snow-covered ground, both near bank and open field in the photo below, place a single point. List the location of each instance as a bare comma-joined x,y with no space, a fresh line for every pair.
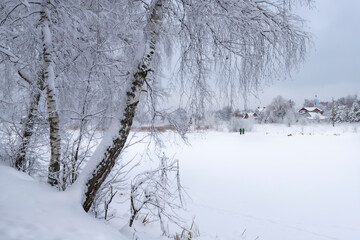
261,185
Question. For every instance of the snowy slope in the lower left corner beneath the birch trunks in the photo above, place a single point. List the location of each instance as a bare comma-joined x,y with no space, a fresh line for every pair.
33,211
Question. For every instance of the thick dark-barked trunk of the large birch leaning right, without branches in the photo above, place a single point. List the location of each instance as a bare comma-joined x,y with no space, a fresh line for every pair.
107,162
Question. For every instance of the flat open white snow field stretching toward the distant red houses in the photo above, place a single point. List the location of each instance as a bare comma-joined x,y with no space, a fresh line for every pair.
272,186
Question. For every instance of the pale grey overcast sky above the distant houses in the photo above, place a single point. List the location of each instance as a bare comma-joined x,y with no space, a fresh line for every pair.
332,68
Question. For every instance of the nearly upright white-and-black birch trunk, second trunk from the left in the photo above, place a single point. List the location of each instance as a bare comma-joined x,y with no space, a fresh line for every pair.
49,80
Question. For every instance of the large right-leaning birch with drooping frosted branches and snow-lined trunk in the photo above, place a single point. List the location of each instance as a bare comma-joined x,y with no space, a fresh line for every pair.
264,37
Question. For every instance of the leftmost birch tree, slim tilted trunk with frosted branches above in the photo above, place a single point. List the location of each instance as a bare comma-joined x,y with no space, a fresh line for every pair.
19,46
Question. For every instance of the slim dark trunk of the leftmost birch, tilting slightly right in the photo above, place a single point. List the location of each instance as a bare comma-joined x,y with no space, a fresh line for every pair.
20,161
